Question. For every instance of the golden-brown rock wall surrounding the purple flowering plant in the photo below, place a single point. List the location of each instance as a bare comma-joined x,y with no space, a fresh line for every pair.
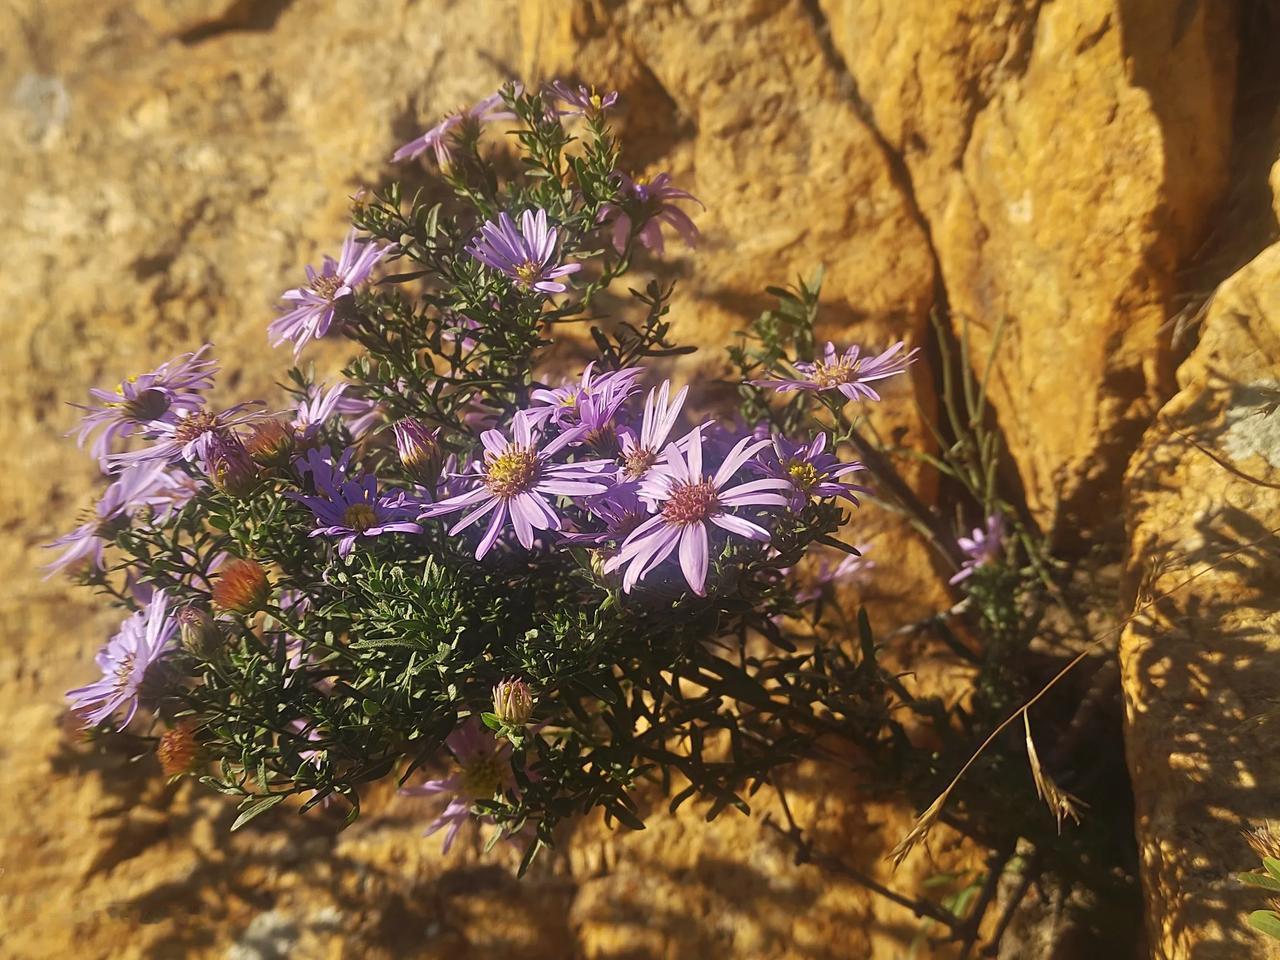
1045,167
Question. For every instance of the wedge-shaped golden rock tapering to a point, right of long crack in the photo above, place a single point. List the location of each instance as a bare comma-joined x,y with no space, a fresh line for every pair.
1066,158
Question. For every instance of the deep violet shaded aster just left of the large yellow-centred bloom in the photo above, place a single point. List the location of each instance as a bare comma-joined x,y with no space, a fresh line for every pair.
350,508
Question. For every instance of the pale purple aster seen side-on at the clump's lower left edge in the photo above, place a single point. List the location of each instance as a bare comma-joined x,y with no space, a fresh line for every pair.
143,639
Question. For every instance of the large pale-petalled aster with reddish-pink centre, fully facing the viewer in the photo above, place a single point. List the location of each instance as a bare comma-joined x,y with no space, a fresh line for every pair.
688,501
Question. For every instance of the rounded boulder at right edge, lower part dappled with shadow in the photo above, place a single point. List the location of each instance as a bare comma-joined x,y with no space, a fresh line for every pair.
1200,666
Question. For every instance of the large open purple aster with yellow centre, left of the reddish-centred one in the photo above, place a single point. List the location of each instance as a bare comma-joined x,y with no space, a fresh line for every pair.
515,479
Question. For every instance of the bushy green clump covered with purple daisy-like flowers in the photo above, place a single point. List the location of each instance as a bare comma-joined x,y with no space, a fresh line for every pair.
519,593
